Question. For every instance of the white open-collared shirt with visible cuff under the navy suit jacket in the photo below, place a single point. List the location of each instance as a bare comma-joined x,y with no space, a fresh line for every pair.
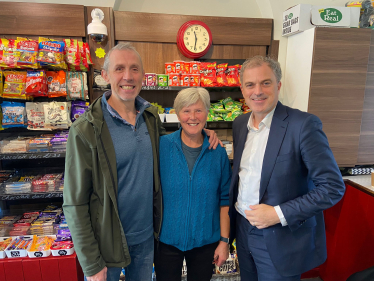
251,166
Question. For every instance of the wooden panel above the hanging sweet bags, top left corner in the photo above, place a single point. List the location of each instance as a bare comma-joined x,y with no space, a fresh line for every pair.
42,19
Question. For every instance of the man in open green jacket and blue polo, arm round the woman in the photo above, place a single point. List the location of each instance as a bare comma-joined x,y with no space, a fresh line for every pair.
112,193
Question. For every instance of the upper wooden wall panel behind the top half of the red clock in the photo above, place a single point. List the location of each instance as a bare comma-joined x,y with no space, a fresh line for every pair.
163,28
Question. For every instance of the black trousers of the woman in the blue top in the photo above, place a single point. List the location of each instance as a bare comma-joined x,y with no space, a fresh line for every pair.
169,262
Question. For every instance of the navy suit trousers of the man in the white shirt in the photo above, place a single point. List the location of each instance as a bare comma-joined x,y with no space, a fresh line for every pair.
254,260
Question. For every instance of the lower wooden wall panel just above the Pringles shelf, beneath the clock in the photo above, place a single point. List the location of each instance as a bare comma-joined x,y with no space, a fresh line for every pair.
154,55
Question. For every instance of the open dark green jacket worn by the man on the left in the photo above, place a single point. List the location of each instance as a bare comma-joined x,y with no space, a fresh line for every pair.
90,190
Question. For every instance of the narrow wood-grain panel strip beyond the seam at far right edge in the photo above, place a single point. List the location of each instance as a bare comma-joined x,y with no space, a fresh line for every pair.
366,145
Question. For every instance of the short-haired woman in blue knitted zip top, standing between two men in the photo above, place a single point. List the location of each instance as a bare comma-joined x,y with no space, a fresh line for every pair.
195,184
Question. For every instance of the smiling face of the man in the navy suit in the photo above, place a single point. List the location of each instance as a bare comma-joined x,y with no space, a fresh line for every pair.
260,90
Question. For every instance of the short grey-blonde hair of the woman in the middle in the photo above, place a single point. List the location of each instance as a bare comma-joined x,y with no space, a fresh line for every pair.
190,96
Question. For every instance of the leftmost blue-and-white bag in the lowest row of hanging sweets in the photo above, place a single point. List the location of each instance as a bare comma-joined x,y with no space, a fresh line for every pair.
14,114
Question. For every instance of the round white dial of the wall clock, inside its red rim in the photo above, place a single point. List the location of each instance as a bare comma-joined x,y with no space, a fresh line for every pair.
196,38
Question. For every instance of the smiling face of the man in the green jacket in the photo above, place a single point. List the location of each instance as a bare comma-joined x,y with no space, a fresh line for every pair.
125,75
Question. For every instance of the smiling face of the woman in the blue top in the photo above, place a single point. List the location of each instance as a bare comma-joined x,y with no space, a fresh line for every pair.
193,119
